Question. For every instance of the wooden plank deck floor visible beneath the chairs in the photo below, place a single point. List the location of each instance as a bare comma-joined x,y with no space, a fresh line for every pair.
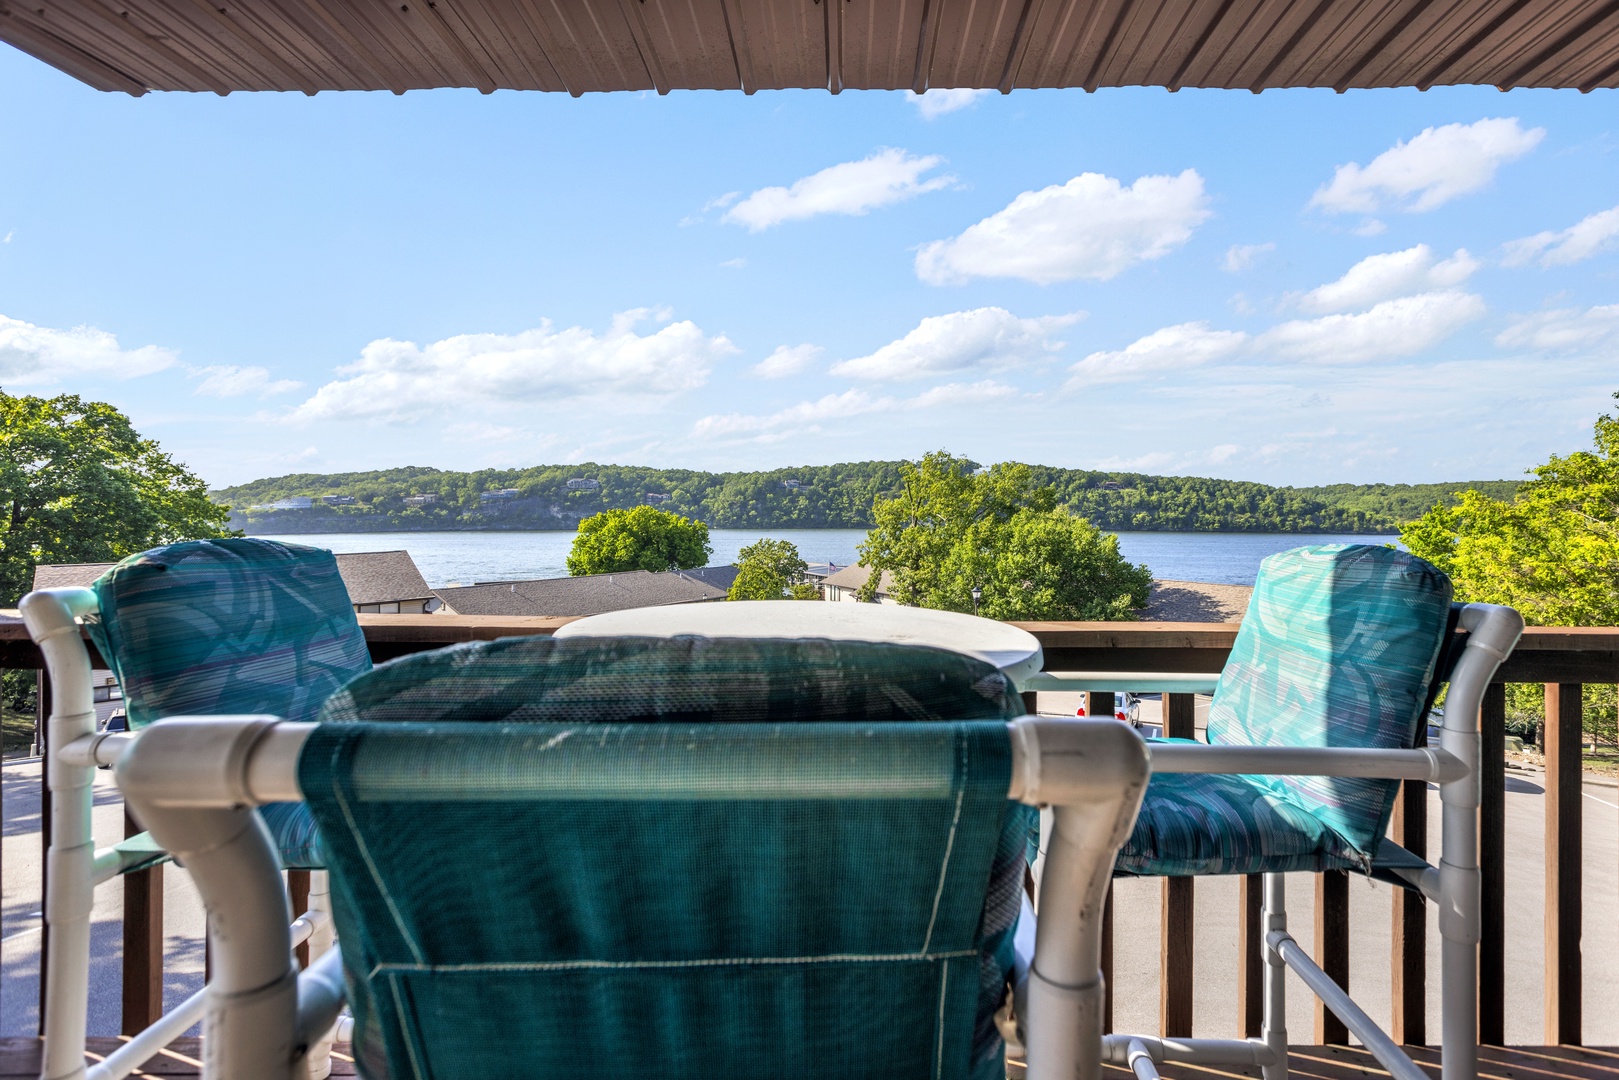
20,1058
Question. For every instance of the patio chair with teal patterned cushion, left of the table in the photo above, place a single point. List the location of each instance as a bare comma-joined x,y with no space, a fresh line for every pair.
232,626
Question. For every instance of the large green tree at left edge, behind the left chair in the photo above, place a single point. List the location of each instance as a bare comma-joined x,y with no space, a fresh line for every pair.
80,485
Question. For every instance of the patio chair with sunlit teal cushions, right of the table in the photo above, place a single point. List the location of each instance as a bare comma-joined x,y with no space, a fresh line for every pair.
1314,723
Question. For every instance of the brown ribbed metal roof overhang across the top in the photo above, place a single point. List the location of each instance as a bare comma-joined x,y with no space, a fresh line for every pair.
862,45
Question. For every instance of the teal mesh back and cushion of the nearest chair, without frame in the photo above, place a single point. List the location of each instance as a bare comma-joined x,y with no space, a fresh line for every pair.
673,859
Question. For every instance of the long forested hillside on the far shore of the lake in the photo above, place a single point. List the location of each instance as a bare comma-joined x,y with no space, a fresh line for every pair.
817,496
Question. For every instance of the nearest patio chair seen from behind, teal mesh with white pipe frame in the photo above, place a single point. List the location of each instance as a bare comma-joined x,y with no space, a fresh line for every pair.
684,857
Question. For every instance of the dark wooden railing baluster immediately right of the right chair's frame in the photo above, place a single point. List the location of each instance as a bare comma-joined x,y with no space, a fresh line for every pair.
1494,867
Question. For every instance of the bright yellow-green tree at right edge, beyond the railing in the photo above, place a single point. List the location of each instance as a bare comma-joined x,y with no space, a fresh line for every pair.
1552,551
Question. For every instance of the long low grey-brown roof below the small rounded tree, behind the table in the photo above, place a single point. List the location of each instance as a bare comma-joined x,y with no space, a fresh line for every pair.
589,595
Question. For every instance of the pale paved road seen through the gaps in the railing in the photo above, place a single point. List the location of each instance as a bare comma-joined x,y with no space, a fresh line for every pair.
1137,906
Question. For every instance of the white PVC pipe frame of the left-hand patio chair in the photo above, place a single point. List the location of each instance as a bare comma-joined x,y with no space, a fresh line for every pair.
75,749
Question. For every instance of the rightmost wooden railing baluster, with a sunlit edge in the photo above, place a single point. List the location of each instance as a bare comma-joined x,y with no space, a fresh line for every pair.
1563,864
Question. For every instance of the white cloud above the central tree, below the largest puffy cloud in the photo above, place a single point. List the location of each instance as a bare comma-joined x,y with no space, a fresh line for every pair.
985,338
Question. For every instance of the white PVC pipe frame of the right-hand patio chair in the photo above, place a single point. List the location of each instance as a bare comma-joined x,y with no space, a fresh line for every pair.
1455,885
